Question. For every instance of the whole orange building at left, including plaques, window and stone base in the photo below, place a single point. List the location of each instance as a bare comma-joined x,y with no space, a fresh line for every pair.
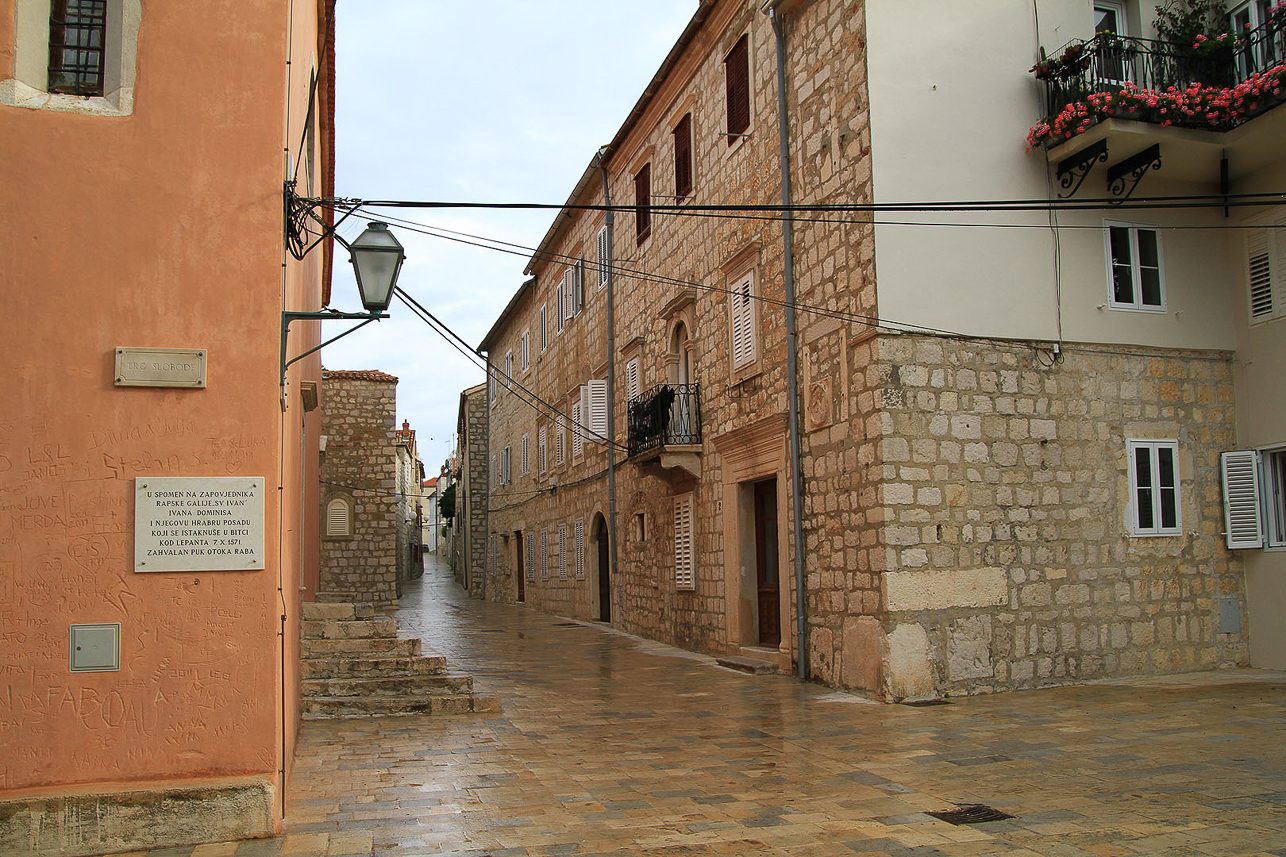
145,707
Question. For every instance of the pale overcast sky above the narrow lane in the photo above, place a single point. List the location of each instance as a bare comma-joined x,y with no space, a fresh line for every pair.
503,101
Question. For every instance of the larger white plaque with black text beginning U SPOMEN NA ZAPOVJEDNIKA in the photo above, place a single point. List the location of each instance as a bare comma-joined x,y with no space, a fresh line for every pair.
199,524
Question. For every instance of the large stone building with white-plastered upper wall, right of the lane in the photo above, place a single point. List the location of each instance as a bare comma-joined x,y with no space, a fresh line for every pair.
1011,419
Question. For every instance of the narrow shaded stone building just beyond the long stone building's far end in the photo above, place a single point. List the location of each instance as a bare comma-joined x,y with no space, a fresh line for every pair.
470,541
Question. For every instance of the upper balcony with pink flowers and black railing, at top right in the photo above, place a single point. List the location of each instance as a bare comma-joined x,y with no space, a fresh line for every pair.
1195,91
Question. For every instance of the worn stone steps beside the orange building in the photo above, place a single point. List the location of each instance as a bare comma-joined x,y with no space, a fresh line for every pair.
354,665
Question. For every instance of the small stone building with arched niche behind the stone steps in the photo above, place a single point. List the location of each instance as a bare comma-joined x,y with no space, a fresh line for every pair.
361,506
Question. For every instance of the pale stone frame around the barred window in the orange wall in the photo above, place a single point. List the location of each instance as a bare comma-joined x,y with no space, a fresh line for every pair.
29,87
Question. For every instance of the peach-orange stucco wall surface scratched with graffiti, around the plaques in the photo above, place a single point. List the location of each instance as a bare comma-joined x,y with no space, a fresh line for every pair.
163,228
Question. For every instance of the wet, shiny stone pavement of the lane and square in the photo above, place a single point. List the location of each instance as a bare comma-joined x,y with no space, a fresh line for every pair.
609,744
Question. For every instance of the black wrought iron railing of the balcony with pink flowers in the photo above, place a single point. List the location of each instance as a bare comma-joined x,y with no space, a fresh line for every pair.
1109,64
